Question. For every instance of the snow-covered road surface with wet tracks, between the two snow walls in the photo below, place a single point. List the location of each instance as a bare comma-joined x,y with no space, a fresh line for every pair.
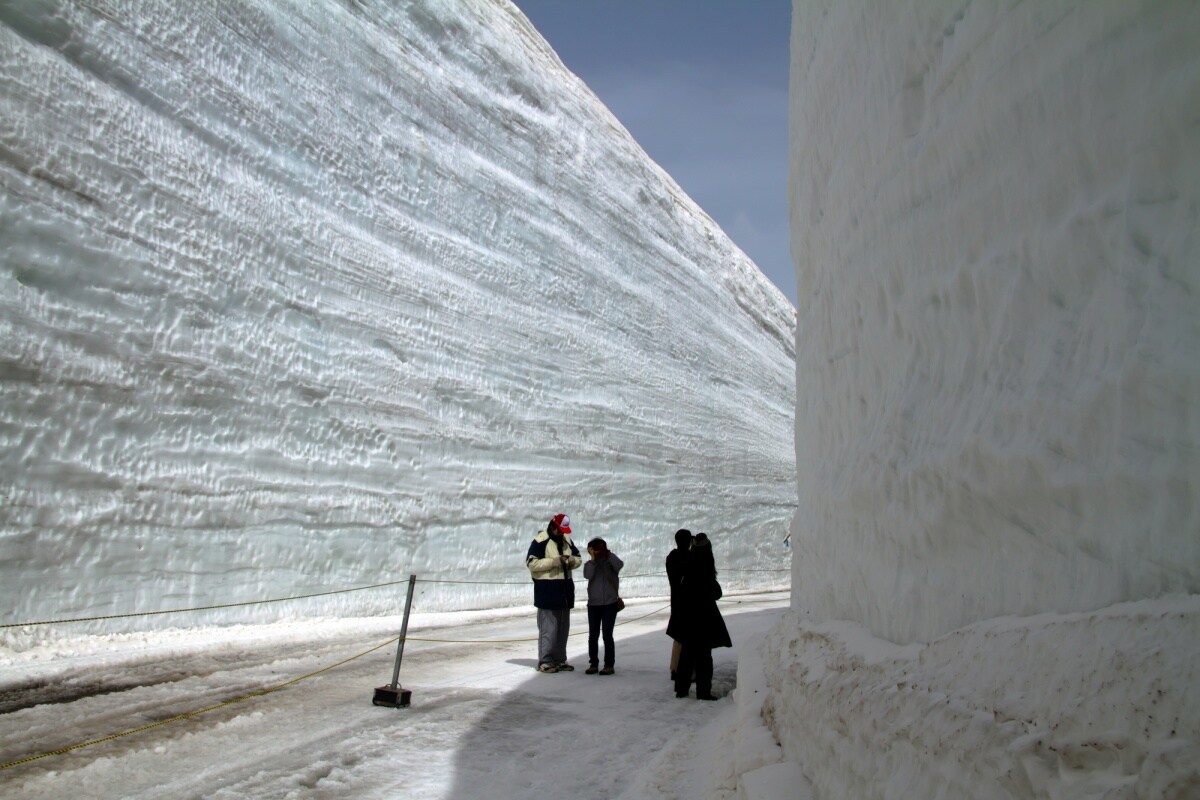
482,724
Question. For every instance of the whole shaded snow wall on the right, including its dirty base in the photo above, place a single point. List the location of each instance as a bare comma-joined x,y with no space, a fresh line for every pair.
998,545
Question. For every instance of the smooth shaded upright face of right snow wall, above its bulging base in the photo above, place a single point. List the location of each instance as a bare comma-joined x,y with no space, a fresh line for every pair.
994,212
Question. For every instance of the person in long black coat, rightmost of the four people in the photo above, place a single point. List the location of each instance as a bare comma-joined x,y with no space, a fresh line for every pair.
697,622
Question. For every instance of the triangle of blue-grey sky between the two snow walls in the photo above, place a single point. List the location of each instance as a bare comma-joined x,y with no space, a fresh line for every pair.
703,86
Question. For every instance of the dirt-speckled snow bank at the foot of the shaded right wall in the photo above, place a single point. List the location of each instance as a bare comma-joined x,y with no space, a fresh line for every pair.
1054,706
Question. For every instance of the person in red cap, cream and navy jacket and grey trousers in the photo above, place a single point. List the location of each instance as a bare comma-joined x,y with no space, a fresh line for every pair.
551,560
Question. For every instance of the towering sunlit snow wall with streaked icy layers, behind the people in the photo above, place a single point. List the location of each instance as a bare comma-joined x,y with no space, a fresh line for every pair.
302,297
